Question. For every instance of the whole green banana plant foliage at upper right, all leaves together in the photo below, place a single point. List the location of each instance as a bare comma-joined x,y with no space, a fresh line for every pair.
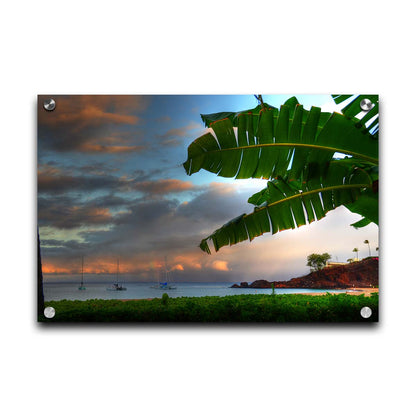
295,149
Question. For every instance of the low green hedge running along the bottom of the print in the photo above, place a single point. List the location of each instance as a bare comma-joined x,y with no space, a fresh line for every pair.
239,308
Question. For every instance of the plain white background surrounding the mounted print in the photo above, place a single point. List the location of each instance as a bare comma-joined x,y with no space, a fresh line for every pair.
215,47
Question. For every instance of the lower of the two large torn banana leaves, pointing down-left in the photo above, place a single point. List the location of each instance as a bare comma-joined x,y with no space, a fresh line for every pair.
287,204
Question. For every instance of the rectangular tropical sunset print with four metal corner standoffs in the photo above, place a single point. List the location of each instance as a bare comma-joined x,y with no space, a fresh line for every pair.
214,208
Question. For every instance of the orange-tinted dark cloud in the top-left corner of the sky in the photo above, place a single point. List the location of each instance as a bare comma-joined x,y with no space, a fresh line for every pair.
83,123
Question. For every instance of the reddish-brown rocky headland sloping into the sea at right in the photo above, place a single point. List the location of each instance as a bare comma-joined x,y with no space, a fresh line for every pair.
363,273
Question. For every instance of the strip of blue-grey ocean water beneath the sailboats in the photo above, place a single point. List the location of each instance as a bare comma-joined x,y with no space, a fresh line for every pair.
143,290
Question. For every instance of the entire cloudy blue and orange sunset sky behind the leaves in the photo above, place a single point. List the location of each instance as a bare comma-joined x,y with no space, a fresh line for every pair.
111,186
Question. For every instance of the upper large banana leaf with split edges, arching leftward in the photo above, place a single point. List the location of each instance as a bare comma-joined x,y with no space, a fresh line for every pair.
266,142
